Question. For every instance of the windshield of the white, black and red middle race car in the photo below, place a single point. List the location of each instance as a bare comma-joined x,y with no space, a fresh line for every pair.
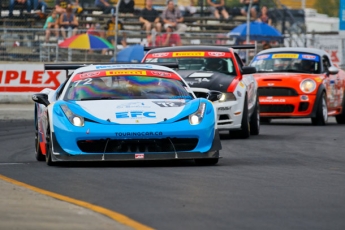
223,65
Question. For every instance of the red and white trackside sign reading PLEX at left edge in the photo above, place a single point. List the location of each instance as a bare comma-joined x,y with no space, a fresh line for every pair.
28,78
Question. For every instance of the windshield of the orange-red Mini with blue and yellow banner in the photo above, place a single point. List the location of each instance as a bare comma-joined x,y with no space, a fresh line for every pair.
287,62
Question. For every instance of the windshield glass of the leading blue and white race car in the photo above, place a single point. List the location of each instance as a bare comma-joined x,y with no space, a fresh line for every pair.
126,87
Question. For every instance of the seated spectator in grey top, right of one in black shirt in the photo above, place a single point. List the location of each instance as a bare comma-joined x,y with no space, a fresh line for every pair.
172,17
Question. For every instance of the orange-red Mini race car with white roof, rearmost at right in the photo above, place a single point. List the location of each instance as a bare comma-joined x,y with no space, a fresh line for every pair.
299,83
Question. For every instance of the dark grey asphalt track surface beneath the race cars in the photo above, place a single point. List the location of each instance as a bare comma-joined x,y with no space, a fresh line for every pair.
291,176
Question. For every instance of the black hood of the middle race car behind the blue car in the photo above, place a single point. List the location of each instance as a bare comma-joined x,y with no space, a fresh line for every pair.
207,79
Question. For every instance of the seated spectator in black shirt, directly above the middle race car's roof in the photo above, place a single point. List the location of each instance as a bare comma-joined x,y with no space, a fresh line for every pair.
150,18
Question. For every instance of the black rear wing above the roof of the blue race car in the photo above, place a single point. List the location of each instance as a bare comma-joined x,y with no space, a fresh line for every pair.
74,66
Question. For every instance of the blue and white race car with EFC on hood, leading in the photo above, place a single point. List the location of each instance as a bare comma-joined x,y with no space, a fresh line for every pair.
125,112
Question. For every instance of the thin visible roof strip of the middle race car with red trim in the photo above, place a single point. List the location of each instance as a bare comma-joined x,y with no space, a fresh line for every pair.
190,48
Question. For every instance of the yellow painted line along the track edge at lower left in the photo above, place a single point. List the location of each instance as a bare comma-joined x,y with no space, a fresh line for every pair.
113,215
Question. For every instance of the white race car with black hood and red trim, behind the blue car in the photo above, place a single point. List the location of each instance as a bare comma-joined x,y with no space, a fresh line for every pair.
218,68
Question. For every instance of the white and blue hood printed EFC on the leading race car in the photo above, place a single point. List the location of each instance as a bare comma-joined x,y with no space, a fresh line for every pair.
134,111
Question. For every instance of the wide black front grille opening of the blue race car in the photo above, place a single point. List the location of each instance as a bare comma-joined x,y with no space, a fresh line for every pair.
138,145
